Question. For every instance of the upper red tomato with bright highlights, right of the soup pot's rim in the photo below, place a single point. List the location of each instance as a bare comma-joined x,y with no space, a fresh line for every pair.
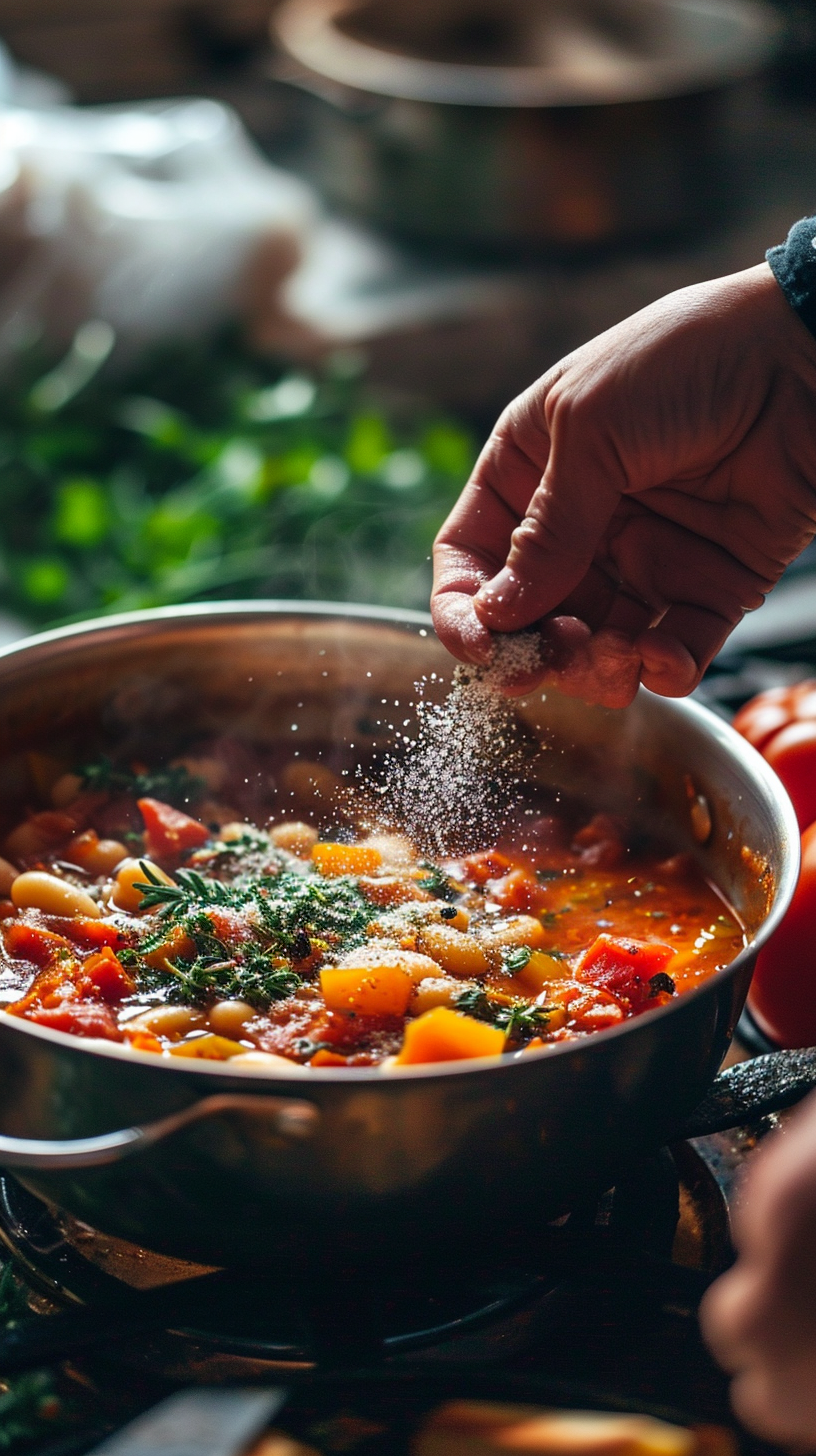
782,726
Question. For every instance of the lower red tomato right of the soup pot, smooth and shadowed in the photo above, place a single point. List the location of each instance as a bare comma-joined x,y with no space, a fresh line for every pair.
783,994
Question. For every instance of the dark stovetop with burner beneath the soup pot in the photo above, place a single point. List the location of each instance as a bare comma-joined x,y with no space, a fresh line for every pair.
595,1310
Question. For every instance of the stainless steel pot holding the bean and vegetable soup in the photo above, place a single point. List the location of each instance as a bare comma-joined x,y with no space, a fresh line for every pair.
221,1167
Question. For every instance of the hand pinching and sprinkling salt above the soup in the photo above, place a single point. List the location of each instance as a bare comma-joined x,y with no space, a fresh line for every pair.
642,496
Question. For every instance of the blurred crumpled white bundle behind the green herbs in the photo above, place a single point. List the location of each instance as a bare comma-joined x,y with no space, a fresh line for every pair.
160,219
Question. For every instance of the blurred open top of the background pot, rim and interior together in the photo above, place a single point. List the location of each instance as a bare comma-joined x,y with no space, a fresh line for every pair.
527,53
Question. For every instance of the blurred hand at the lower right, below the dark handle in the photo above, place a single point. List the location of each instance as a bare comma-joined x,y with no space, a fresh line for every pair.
760,1318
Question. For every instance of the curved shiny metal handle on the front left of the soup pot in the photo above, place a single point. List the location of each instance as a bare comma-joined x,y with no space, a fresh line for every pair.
292,1120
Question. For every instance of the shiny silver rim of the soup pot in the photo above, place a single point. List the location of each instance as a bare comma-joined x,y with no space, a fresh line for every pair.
748,759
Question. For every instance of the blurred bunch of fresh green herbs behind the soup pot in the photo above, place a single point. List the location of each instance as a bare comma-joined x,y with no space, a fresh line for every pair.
205,472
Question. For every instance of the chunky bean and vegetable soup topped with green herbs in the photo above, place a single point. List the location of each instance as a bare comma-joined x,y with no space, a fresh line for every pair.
307,944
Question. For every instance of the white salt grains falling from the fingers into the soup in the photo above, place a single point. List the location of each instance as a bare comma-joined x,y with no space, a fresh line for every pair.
461,777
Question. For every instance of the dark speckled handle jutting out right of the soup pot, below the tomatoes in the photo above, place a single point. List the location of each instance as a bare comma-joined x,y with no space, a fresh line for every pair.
753,1090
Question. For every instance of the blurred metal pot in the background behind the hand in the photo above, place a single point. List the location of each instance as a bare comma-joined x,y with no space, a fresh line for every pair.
521,124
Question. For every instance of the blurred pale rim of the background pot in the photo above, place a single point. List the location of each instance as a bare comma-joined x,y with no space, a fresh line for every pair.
308,33
